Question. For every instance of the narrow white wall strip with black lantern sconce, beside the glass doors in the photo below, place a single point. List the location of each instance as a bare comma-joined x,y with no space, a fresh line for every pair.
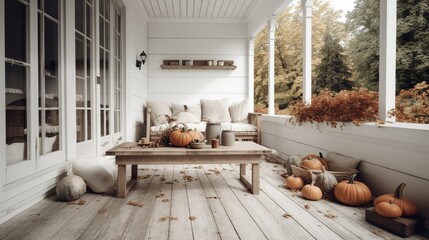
136,80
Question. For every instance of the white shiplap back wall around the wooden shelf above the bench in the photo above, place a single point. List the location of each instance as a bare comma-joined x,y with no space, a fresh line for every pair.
197,41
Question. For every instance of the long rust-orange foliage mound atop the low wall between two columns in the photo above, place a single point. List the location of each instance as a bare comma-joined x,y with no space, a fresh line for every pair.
346,106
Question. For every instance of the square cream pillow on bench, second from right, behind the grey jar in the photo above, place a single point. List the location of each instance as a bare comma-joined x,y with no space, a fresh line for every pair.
215,110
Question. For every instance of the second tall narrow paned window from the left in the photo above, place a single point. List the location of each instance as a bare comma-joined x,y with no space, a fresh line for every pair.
49,76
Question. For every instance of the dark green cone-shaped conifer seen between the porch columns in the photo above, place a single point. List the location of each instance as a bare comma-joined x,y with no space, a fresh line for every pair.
332,73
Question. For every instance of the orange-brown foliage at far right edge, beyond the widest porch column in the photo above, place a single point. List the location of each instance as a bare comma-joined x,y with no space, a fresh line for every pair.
413,105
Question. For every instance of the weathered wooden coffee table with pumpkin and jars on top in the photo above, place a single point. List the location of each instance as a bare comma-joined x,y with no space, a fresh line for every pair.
242,153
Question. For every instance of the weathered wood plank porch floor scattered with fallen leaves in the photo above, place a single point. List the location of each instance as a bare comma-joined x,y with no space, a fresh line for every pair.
194,202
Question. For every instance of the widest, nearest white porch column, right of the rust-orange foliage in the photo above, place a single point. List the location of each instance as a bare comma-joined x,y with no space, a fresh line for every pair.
387,67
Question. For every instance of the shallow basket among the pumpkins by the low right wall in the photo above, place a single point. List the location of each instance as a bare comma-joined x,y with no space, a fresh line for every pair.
339,172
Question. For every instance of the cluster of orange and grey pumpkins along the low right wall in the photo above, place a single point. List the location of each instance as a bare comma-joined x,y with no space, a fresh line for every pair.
350,192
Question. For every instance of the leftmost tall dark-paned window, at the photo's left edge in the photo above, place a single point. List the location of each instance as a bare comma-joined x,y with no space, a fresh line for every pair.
17,79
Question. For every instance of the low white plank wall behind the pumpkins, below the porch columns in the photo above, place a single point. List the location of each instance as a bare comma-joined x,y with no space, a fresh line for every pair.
391,154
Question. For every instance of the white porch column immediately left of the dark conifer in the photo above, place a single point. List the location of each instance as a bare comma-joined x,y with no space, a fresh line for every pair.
307,13
